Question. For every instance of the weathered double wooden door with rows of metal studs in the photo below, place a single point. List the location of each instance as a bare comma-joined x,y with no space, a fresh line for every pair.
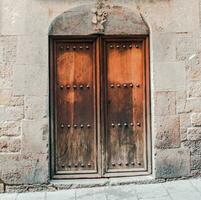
99,106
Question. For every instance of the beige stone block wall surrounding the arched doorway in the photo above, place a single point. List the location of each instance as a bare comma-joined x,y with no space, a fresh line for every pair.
175,85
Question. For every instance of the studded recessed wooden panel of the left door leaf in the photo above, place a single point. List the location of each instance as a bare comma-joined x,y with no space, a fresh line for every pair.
76,148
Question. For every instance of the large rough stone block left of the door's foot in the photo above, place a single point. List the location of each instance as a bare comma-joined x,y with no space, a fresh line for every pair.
24,168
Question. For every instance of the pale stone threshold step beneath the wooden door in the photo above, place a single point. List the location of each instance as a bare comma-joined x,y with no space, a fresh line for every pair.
99,182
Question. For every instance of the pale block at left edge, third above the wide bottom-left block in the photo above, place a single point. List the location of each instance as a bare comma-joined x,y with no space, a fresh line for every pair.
11,113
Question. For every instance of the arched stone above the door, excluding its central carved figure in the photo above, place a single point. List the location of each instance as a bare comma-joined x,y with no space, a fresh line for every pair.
78,21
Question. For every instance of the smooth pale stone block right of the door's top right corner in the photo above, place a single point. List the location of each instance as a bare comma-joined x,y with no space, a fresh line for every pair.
164,48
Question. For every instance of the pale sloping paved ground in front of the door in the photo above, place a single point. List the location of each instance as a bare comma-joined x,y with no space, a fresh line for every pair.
174,190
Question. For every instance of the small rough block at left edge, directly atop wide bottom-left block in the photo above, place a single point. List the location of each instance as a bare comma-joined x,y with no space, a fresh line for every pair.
8,145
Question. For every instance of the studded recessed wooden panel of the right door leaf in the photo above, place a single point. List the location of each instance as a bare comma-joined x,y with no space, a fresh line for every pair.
125,110
